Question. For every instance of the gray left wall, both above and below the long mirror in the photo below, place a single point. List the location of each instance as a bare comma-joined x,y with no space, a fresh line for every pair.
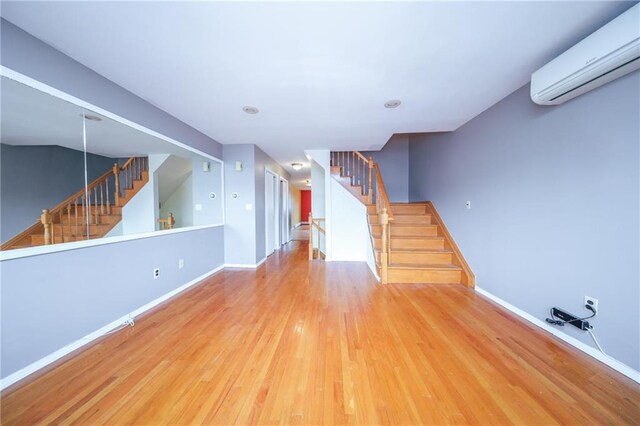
44,307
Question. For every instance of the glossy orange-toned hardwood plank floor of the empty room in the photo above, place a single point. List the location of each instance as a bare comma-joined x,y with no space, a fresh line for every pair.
295,342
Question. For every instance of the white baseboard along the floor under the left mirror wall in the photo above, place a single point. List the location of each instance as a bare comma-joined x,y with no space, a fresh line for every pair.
43,362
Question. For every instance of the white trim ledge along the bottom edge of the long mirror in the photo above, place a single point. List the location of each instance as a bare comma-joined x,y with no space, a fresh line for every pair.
54,248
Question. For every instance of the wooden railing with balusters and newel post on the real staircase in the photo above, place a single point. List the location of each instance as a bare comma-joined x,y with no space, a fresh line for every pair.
366,172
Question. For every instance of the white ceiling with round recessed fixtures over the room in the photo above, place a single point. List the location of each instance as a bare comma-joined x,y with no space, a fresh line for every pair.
319,72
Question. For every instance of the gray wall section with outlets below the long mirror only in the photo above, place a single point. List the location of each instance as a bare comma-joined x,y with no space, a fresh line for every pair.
45,305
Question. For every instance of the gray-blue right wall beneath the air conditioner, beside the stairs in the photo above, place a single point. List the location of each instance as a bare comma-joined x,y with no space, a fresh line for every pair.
555,204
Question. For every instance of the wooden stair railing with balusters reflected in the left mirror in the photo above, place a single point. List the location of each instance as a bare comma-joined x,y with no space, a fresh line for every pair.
75,215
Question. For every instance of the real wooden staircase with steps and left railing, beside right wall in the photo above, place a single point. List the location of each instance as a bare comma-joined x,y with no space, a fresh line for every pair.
411,243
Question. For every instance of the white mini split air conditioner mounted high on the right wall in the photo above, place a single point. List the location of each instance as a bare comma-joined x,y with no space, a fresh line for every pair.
609,53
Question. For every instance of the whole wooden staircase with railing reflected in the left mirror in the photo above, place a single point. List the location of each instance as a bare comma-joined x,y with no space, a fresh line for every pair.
87,214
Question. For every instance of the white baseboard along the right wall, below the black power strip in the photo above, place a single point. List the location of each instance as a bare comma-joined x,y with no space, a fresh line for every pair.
589,350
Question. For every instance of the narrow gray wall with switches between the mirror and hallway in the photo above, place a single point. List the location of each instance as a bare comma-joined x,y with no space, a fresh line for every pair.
240,223
